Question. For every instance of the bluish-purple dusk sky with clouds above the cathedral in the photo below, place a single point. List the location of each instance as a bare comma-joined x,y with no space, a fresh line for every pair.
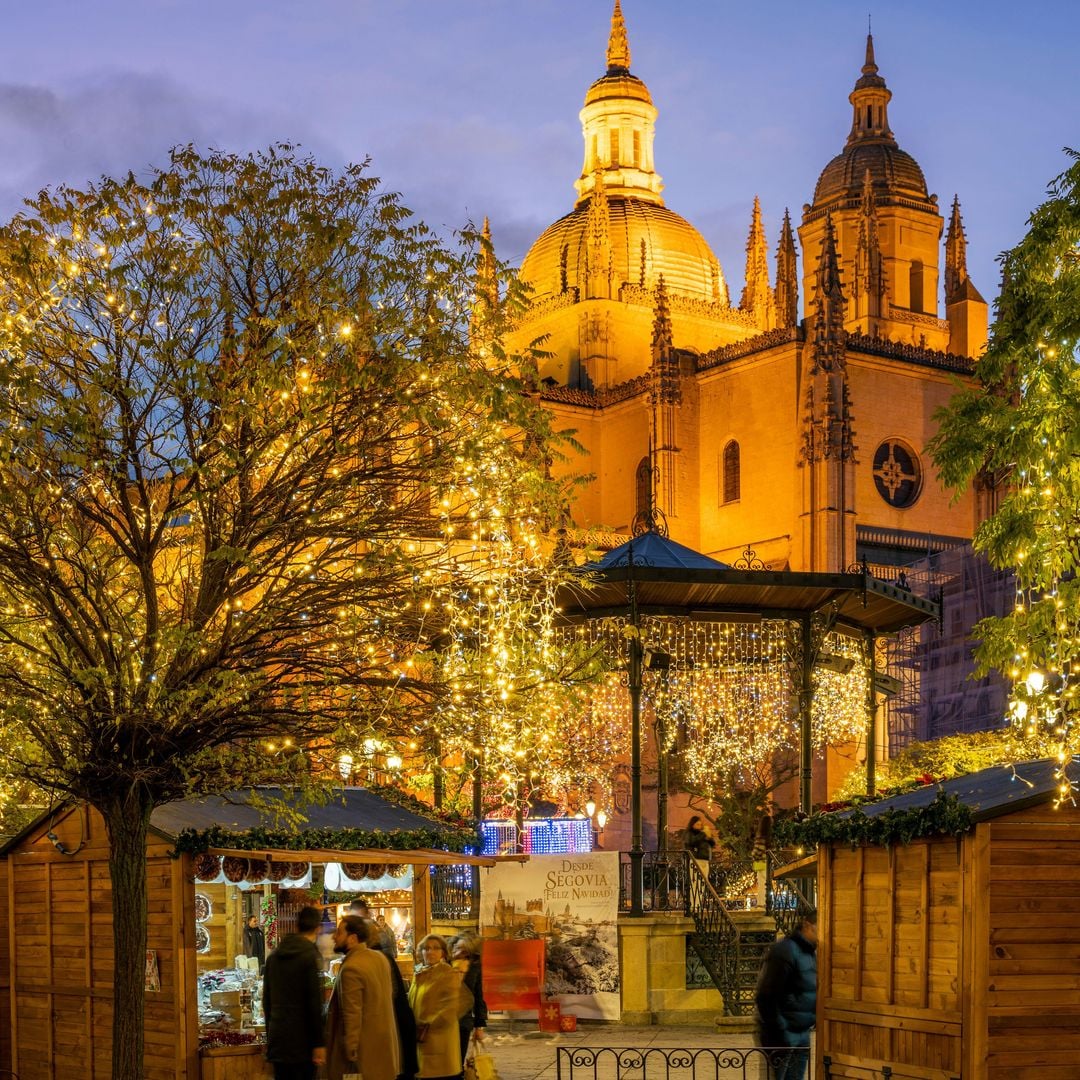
470,107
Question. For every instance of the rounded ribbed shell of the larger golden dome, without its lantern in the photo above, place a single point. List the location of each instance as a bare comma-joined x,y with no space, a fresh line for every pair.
645,240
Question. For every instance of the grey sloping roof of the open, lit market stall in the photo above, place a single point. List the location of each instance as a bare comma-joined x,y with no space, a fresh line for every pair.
348,808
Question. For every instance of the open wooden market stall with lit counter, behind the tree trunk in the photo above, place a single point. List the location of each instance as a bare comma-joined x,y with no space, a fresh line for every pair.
57,921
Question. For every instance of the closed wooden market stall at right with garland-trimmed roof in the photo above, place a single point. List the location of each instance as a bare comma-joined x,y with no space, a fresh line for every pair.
956,955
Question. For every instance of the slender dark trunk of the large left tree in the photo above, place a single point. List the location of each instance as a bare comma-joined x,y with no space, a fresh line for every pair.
127,821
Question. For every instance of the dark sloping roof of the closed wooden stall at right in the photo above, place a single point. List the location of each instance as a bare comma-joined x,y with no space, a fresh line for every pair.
990,793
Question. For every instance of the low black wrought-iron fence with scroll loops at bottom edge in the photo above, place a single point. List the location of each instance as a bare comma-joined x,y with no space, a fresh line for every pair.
663,1063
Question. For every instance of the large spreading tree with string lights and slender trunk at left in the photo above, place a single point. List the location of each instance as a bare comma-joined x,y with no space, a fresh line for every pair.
244,439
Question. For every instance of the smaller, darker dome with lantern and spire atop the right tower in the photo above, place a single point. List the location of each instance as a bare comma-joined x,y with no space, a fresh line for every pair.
871,148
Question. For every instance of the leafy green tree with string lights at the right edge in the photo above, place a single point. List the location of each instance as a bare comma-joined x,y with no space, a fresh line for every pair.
1017,435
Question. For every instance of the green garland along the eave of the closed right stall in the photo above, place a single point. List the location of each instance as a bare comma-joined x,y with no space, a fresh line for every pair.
944,816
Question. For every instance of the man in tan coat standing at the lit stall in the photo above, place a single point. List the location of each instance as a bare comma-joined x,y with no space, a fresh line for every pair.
361,1034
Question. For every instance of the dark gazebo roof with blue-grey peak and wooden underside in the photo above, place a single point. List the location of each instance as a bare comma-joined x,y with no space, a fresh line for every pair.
673,580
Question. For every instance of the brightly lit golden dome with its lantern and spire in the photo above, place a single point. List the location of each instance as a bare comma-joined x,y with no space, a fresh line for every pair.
620,233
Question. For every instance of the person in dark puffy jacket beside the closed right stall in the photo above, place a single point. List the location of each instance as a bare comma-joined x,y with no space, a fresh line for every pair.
787,1000
